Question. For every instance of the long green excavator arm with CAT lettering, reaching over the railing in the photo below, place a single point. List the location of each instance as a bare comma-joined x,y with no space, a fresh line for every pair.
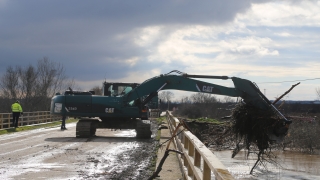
243,88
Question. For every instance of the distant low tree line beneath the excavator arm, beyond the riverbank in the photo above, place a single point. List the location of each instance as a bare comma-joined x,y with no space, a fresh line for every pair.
207,105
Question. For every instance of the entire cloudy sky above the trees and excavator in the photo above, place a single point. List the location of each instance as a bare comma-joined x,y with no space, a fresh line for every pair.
267,42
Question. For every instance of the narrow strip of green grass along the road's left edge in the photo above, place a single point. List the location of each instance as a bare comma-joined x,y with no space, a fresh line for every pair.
35,126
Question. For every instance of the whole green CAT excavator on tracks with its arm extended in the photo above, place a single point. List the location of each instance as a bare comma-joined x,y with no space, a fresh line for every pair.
125,105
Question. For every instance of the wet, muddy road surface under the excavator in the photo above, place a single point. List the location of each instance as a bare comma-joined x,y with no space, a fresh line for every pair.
54,154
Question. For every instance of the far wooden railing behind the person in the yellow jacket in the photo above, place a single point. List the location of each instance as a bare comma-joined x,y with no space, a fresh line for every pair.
27,118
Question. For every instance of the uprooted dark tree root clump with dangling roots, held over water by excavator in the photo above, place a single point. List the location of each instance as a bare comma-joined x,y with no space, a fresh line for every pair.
252,128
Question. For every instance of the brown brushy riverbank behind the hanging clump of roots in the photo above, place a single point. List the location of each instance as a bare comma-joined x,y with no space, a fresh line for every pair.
302,134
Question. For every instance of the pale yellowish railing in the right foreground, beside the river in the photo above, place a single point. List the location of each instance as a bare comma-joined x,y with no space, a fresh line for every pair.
197,162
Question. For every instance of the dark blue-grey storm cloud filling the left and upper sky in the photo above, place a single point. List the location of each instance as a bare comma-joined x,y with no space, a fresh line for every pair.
82,35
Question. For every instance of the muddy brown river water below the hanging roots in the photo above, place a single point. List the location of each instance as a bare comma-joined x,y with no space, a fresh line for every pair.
289,165
